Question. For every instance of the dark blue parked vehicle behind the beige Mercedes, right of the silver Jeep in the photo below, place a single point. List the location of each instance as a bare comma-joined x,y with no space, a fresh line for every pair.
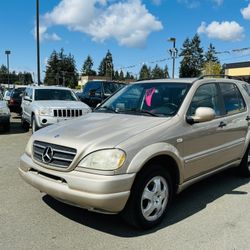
96,91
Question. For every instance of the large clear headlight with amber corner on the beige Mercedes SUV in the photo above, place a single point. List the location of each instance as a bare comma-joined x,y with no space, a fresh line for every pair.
107,159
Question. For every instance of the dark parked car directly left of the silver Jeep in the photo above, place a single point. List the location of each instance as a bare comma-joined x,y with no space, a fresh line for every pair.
15,99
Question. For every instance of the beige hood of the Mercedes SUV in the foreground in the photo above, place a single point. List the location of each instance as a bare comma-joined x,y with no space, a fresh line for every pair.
97,130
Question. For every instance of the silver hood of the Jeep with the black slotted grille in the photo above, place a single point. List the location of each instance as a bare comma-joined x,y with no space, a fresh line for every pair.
61,104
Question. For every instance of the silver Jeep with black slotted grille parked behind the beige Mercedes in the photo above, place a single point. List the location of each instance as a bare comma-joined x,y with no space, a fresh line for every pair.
43,106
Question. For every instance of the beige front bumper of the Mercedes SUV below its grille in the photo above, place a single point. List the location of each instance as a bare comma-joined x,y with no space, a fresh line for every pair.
106,194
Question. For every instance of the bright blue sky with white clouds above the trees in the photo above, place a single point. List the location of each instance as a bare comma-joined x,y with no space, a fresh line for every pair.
135,31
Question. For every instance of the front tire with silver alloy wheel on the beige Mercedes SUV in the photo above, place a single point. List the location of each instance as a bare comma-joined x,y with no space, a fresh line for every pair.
150,198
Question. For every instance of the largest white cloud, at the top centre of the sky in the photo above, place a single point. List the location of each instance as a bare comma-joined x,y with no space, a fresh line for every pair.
128,21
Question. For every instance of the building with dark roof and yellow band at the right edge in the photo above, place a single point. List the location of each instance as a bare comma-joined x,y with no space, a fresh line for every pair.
239,69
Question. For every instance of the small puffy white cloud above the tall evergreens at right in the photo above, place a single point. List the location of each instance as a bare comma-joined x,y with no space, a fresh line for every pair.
226,31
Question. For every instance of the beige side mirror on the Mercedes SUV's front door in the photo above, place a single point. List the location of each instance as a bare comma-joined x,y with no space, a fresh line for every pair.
202,114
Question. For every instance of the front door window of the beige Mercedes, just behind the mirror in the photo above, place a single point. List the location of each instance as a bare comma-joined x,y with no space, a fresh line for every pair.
205,96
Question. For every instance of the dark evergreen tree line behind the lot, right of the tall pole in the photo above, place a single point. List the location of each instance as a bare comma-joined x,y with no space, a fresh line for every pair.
61,68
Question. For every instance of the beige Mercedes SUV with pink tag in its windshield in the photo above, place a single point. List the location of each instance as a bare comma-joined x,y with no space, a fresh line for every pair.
147,142
